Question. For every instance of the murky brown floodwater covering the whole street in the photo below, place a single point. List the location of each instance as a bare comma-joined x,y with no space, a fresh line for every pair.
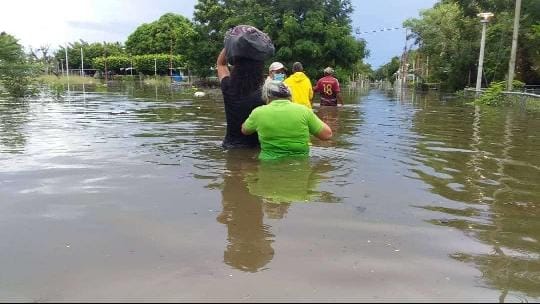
125,194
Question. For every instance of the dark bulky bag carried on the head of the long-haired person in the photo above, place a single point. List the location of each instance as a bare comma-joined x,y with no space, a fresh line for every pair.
246,41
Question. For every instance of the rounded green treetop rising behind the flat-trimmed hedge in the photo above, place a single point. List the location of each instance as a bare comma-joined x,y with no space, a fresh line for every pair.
170,33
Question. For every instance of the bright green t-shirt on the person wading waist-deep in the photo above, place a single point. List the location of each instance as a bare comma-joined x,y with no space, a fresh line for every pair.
284,128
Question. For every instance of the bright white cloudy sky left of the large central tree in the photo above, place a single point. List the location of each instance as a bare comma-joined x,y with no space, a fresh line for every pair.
56,22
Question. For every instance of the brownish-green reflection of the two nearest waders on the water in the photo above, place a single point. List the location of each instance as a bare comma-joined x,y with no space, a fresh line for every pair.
253,189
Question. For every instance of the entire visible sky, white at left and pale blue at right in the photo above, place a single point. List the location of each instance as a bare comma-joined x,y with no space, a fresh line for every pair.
56,22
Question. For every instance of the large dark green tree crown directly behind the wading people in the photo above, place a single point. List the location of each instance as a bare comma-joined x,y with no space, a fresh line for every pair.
315,32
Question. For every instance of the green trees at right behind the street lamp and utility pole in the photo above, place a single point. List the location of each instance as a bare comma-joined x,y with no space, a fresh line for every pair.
449,33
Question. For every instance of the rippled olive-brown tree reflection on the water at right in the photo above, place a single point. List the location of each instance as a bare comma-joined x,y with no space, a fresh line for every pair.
487,162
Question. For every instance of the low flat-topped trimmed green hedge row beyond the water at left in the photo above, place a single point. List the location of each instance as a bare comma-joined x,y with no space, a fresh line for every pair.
142,63
